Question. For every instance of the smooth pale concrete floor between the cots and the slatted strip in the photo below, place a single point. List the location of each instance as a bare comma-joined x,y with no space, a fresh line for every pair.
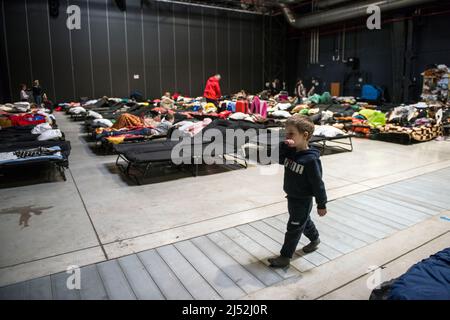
97,214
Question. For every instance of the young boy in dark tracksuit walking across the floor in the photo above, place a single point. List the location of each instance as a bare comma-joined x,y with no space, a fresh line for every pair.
302,182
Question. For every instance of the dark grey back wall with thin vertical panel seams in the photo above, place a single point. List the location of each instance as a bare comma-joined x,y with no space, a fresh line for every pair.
172,48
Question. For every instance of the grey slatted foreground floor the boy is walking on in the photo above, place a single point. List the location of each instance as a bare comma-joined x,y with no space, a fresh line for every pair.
232,263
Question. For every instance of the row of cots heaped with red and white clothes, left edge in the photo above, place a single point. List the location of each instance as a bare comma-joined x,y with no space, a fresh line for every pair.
29,134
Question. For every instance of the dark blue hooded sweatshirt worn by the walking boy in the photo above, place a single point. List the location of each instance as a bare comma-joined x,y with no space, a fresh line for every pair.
303,174
